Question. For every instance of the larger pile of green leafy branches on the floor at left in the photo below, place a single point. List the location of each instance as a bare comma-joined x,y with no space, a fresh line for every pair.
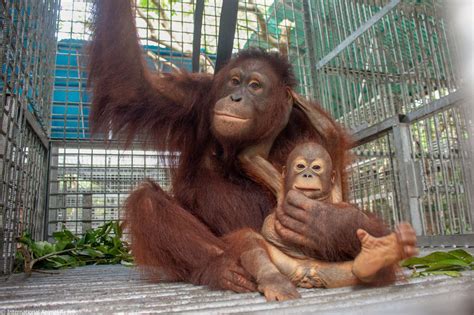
103,245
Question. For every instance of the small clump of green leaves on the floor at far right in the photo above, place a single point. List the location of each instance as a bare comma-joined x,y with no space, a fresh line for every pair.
440,263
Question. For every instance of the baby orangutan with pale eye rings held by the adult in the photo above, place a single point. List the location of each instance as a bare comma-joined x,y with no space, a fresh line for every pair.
352,257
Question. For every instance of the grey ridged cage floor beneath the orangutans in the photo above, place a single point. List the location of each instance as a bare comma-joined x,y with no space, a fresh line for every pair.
112,289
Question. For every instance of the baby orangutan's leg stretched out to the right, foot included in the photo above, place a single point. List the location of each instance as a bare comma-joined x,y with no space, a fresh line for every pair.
375,264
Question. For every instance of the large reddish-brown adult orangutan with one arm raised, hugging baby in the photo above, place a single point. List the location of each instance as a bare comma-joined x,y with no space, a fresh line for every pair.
195,233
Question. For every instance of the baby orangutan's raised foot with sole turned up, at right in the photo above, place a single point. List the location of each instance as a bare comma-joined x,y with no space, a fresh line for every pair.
380,252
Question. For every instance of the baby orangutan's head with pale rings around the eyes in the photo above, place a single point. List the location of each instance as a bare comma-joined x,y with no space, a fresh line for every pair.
309,170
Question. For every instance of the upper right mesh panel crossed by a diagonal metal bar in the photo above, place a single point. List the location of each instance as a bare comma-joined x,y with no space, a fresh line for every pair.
400,63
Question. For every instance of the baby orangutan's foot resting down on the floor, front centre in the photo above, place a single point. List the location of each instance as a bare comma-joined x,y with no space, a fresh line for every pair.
277,287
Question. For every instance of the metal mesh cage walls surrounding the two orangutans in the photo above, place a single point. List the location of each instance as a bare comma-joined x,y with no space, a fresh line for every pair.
383,68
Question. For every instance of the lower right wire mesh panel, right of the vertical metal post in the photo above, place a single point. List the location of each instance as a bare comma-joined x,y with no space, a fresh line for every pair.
439,149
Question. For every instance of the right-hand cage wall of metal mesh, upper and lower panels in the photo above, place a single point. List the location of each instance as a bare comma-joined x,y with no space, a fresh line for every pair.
376,60
